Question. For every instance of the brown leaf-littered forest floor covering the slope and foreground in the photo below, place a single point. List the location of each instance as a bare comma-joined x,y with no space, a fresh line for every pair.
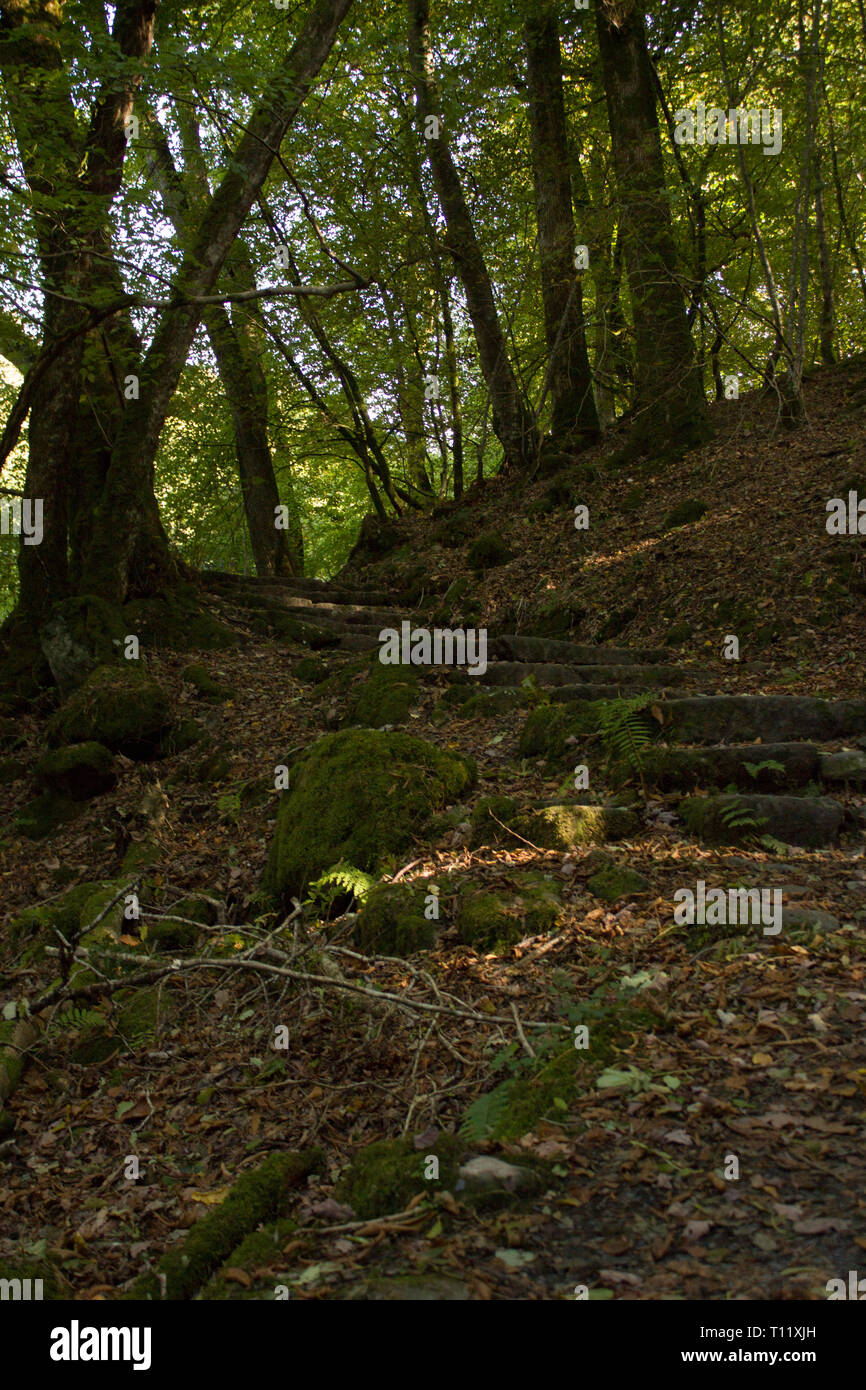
760,1050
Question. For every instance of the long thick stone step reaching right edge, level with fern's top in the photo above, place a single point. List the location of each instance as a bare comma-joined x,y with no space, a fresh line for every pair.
712,719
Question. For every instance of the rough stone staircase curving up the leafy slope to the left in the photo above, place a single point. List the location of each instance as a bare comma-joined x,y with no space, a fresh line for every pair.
740,765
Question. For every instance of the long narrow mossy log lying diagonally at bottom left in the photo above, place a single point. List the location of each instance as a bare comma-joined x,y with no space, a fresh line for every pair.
259,1196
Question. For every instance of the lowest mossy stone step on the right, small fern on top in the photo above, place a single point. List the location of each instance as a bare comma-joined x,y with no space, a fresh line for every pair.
797,821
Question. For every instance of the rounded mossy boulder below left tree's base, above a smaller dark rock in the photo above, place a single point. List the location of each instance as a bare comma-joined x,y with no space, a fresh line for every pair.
117,707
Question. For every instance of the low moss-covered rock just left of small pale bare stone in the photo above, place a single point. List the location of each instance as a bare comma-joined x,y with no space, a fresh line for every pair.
386,1177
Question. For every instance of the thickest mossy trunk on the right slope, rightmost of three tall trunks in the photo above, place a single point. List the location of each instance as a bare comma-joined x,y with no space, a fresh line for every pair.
669,394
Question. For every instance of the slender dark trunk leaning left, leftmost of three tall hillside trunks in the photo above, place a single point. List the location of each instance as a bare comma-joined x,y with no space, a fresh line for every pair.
512,419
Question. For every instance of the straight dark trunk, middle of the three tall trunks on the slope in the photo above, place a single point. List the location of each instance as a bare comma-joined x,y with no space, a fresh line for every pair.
569,377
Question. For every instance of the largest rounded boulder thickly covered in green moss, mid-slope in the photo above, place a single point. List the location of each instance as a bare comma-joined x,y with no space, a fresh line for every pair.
358,797
